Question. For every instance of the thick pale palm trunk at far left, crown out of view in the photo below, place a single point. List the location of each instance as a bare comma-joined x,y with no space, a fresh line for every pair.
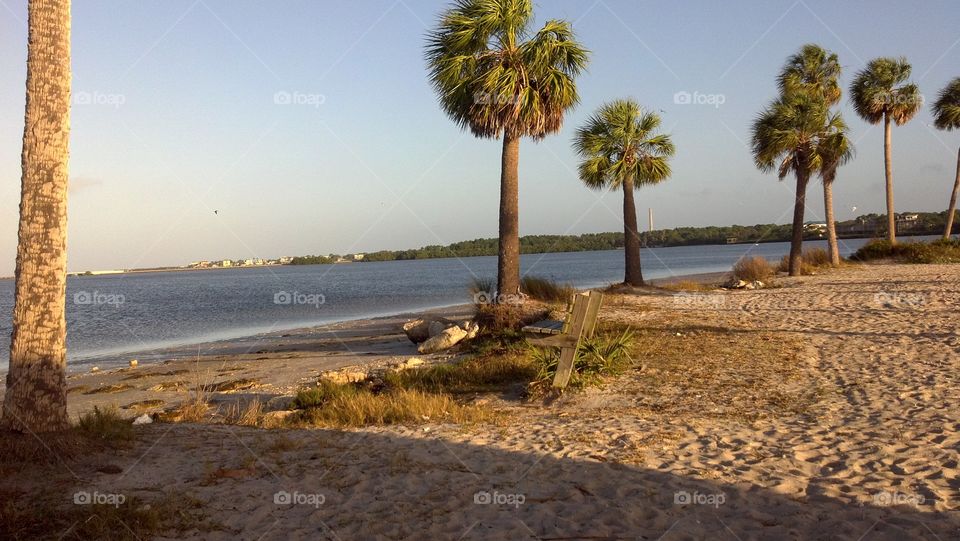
36,398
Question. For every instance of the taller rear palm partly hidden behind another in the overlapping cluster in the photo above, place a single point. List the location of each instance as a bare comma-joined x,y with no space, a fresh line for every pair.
816,71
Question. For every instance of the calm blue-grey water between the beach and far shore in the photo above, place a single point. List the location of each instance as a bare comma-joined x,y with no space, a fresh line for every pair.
110,316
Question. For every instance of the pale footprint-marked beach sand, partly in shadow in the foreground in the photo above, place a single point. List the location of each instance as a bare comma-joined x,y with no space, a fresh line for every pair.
825,408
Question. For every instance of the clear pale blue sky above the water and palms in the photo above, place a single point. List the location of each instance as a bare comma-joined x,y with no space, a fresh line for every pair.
176,116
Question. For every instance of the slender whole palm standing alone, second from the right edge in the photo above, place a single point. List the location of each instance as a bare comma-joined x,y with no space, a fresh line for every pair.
880,92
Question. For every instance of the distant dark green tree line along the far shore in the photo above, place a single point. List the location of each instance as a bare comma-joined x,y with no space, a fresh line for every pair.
869,225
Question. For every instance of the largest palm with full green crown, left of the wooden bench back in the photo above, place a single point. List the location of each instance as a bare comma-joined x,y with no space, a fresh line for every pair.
496,78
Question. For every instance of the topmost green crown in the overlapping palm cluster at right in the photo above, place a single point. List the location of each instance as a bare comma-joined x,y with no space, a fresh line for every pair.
812,69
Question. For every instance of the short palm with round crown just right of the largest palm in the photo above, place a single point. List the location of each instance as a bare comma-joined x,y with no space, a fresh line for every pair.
621,149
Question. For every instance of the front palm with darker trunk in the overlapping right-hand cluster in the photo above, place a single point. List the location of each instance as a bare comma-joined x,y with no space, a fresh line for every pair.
786,136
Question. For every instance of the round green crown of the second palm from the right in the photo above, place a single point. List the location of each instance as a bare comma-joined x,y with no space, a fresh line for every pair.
881,89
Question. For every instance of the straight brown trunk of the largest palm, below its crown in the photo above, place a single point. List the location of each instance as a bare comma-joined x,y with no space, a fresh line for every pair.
508,262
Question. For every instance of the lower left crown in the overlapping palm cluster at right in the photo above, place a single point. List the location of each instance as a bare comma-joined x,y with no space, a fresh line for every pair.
787,133
